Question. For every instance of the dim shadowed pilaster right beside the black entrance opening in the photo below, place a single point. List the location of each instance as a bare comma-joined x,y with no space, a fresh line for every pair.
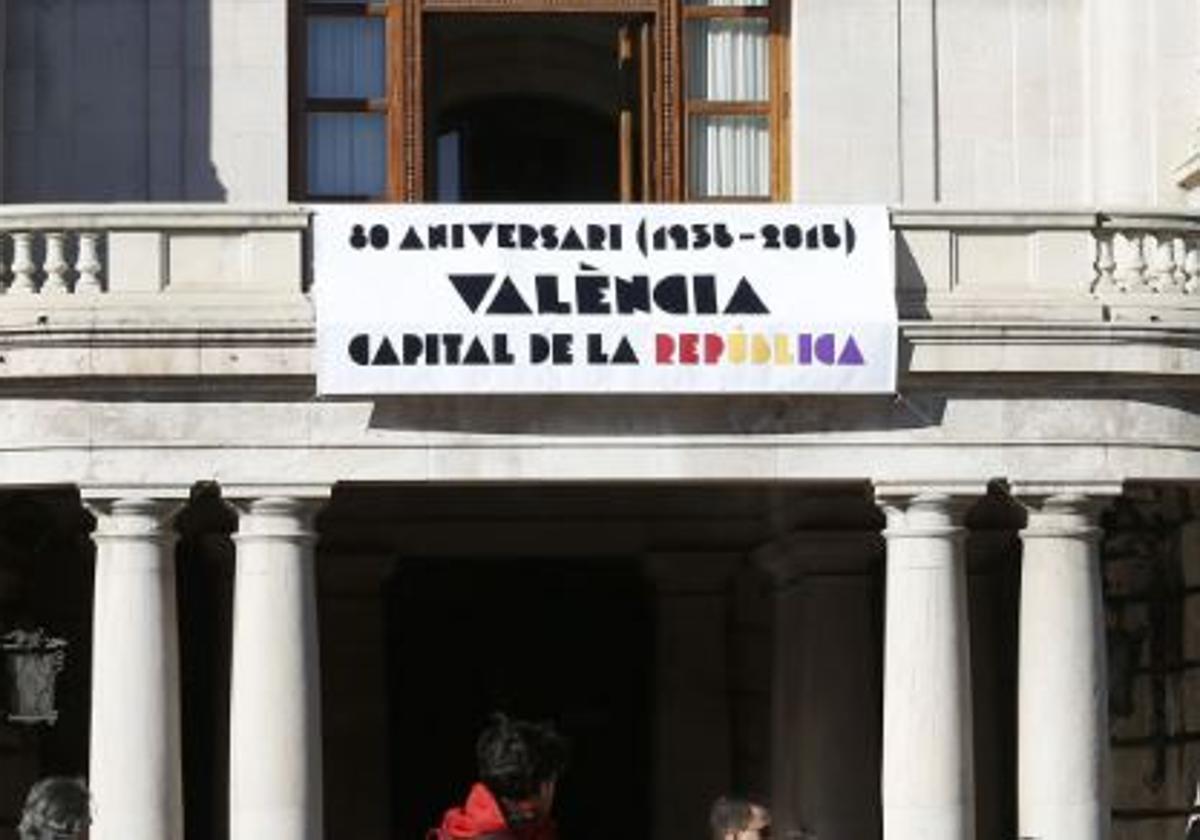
692,733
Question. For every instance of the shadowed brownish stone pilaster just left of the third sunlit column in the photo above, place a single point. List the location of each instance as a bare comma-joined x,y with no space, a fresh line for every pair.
825,709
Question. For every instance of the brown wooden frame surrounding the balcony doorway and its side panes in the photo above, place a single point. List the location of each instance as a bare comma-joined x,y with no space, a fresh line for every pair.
405,109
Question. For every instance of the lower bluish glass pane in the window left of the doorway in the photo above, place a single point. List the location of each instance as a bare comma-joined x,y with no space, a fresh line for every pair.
347,154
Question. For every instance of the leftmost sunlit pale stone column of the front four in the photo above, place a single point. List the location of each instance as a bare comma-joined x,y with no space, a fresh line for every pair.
136,773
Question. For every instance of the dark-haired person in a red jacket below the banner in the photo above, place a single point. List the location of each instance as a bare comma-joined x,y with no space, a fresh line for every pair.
519,767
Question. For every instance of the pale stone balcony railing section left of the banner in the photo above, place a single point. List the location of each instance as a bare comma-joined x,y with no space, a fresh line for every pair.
89,250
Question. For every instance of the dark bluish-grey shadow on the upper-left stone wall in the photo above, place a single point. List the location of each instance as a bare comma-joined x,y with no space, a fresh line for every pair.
109,103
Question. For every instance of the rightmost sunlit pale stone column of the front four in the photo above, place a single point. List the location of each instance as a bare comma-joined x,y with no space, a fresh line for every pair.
1063,695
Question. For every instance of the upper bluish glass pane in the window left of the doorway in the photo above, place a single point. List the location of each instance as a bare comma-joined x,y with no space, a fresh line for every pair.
346,57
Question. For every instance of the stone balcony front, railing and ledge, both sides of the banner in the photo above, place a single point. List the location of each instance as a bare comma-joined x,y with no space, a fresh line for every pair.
190,291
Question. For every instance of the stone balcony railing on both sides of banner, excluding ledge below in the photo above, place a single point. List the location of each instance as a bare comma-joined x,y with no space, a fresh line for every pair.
953,265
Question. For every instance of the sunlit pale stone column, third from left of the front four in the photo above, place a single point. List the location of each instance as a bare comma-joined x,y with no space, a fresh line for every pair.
928,783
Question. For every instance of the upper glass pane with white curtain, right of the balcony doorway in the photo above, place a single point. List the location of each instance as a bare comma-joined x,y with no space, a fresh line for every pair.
728,59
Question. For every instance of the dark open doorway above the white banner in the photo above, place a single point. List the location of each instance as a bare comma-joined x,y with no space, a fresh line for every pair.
526,107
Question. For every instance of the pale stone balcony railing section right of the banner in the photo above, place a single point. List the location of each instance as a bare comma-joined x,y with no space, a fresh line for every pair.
1048,266
